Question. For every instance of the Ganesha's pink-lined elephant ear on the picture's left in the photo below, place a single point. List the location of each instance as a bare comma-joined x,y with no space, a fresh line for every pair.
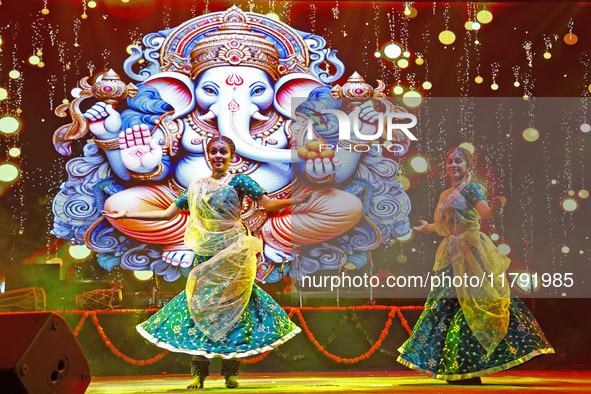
176,89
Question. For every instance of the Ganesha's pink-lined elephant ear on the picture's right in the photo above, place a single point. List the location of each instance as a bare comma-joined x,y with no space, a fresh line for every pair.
292,87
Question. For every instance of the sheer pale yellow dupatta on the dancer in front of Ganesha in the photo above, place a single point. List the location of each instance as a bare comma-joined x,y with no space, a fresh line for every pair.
219,289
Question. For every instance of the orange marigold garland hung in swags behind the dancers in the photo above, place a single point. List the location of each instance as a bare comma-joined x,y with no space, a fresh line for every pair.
394,311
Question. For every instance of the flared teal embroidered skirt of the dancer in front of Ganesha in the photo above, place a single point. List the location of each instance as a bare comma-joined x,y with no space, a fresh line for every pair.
263,326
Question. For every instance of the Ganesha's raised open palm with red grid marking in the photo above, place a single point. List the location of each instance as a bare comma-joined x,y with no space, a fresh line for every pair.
139,152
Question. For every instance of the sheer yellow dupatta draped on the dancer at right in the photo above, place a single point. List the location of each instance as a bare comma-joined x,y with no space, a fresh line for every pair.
473,254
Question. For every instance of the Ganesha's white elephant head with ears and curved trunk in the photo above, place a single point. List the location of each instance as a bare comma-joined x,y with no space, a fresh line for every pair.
236,97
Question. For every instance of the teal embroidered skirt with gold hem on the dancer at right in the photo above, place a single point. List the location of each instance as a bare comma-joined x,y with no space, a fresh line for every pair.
442,345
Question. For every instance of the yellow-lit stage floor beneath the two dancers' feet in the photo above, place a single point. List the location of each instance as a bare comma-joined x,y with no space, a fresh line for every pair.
353,381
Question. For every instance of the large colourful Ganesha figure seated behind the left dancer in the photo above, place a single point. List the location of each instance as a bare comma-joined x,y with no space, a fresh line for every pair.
234,74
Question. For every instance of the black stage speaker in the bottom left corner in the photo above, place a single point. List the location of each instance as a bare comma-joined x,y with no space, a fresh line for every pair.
39,354
